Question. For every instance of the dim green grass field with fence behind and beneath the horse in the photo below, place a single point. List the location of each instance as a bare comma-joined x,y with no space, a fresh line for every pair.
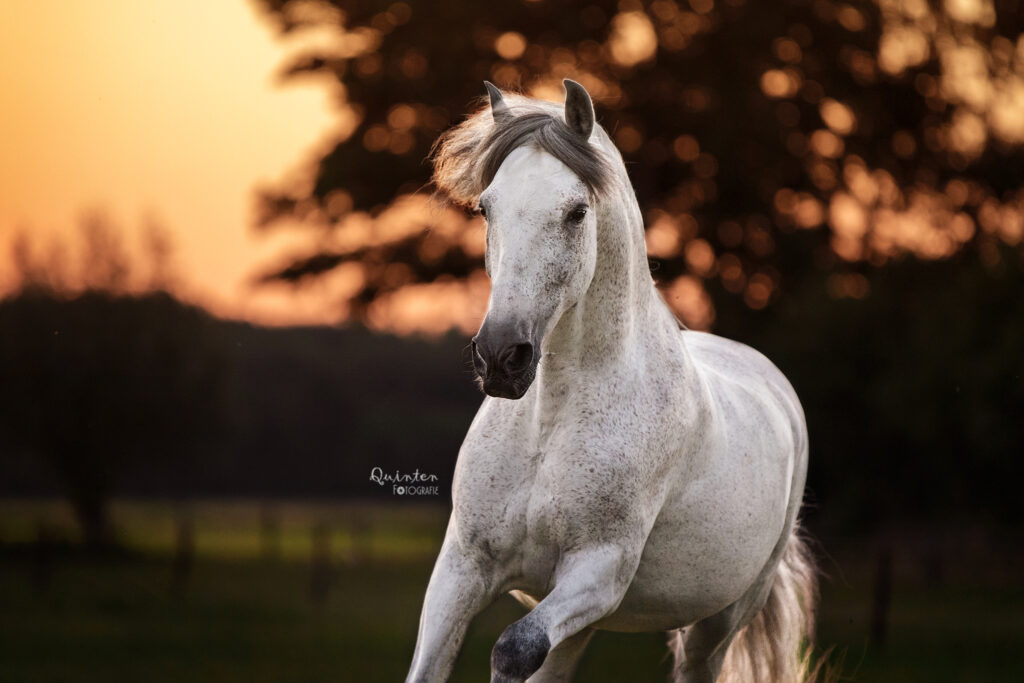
245,610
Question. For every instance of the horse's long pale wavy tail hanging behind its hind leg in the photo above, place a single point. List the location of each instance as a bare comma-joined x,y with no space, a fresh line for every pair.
775,647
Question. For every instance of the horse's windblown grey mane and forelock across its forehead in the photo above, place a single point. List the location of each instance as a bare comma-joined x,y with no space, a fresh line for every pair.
467,157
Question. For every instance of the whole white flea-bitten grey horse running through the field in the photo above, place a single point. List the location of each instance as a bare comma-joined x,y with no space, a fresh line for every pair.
623,474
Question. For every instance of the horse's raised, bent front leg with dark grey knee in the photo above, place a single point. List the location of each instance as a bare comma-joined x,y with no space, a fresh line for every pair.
589,585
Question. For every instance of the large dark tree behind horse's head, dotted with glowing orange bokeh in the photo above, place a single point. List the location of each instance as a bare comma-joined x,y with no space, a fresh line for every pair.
747,127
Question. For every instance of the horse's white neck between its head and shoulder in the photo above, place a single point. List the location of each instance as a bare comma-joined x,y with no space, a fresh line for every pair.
620,311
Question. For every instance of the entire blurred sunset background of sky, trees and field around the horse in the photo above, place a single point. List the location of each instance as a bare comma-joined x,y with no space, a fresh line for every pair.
227,296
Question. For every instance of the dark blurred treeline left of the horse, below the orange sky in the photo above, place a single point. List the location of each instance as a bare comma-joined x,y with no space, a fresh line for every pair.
105,395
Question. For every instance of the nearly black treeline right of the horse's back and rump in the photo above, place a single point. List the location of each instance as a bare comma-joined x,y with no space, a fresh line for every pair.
913,395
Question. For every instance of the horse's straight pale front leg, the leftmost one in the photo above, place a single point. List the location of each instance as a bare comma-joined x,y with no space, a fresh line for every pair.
460,587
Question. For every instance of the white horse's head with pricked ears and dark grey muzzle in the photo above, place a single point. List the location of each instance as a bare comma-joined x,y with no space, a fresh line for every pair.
542,234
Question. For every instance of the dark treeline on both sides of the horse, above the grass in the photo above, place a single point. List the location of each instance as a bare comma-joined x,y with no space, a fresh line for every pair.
913,397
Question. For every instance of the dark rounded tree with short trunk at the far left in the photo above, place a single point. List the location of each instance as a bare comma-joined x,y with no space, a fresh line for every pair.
97,380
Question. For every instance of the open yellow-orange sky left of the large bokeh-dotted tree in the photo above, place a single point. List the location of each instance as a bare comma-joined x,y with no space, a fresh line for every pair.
161,110
